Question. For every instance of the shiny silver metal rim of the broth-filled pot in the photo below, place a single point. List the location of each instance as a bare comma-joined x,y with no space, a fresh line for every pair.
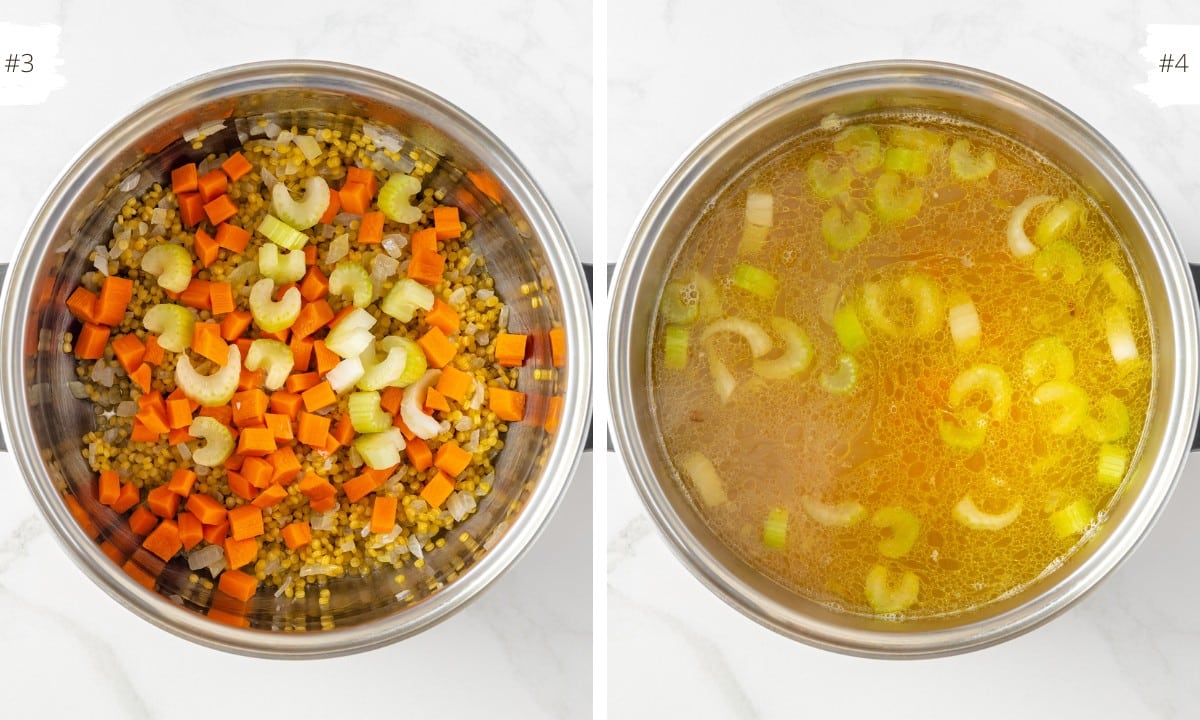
1166,467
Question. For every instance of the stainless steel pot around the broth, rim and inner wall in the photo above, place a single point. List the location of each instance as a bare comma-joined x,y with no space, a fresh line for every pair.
991,101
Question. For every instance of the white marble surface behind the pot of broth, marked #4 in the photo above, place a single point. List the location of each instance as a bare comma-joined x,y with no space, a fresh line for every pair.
1131,650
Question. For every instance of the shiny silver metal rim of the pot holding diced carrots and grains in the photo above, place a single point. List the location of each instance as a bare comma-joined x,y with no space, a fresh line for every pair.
525,529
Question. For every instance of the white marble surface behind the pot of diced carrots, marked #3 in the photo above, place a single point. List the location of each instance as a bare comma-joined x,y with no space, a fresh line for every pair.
525,649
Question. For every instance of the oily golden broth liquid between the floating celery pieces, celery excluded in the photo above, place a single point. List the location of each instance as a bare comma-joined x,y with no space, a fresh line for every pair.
776,441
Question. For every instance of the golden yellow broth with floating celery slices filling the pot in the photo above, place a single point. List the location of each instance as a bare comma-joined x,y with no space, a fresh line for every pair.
782,448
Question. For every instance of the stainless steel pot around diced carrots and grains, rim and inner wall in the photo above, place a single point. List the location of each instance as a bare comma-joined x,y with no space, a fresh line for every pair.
536,272
